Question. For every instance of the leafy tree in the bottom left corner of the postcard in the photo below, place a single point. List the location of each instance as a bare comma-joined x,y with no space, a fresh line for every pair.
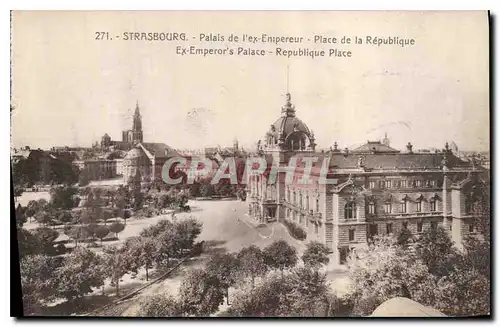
37,281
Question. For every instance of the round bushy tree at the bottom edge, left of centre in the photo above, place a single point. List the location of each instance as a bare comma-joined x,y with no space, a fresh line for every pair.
201,294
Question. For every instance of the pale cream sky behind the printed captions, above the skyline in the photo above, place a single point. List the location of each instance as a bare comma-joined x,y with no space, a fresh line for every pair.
70,89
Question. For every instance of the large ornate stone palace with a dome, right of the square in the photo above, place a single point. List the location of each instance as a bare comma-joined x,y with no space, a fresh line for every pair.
378,190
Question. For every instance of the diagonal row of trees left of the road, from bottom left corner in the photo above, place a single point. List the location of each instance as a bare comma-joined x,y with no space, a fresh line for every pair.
47,278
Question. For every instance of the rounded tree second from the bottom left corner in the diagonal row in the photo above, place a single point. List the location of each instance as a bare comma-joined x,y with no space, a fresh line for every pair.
80,272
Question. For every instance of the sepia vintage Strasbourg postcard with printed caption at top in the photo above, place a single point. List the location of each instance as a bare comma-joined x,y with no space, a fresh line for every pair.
251,163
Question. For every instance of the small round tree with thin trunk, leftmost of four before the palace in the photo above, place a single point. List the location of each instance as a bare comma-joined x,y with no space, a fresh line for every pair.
224,267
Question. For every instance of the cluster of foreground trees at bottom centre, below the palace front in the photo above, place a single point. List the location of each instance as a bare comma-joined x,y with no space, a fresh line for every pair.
268,283
